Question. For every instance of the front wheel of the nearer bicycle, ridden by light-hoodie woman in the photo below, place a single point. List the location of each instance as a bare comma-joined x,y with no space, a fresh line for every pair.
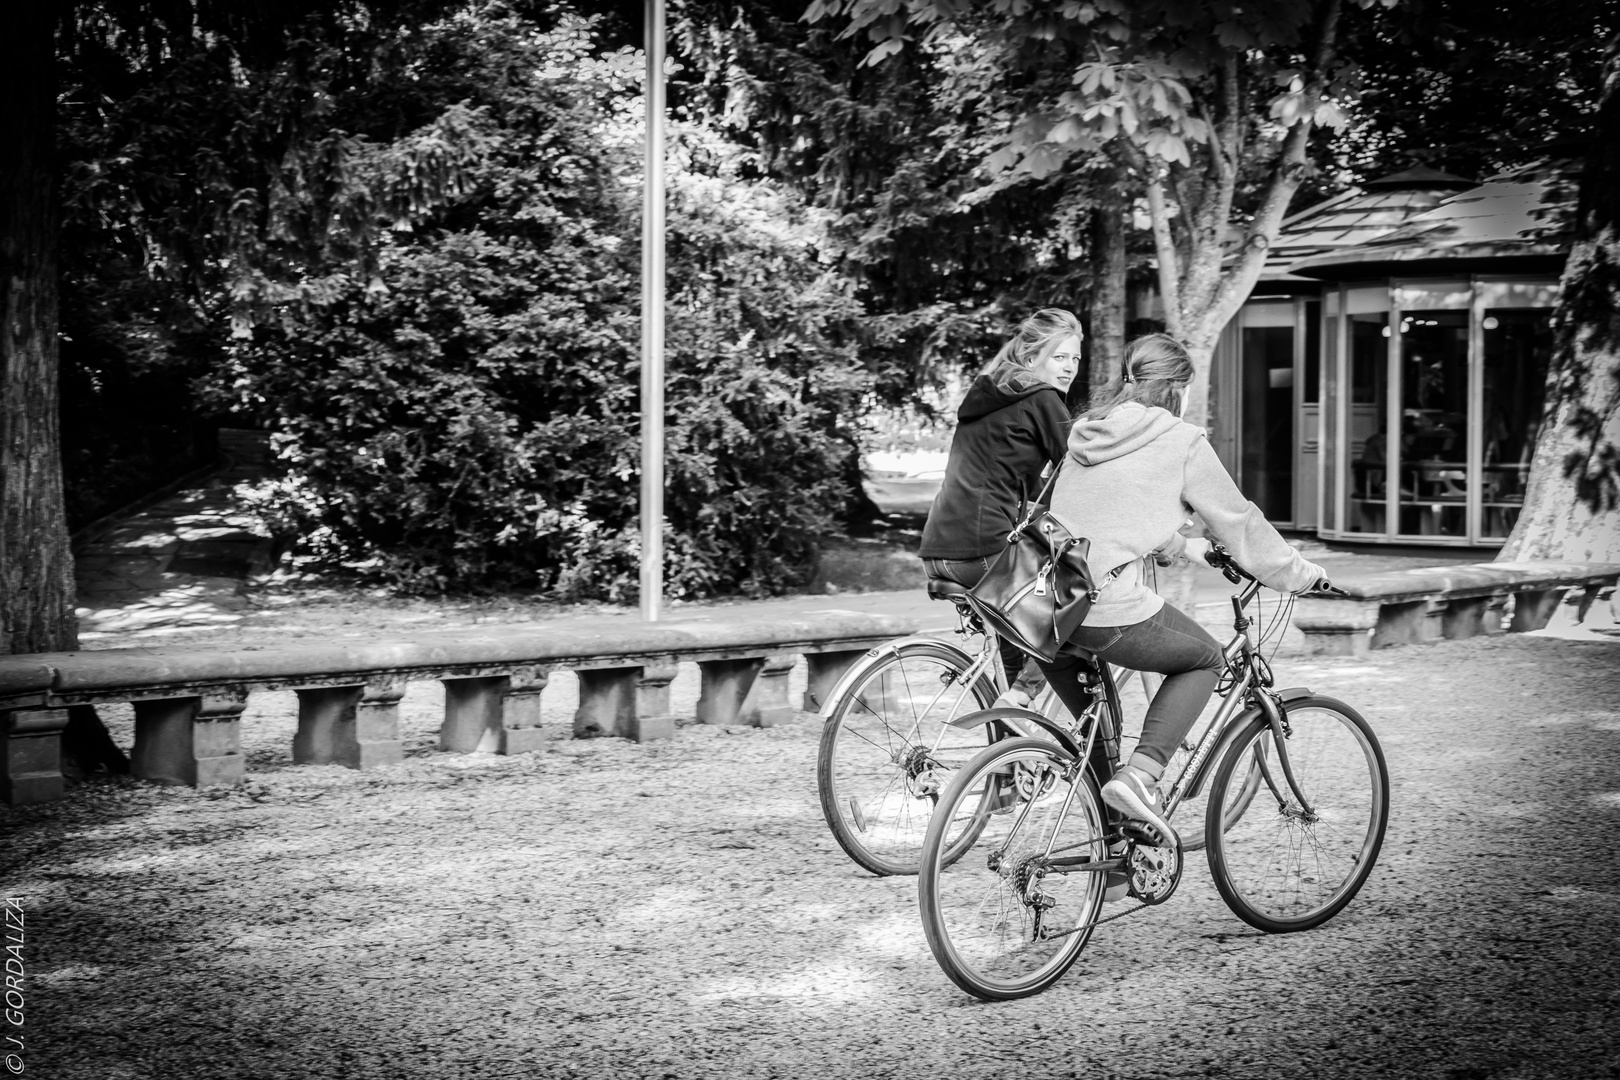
1282,865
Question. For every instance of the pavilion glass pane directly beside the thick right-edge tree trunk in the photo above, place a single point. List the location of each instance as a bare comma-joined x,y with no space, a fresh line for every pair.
1519,347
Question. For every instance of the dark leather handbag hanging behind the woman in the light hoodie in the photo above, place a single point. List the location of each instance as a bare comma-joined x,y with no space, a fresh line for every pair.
1041,587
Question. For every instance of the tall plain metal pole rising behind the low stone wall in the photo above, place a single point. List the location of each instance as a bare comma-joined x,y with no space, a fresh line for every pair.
654,325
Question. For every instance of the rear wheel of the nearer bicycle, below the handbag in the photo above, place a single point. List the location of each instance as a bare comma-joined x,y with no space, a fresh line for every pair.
1012,914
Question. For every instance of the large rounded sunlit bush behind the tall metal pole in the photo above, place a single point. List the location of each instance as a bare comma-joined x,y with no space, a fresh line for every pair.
466,415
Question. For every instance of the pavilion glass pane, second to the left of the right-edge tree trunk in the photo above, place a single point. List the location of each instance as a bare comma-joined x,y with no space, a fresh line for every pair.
1433,453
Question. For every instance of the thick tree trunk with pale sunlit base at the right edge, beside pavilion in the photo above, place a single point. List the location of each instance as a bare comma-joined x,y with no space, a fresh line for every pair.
1572,503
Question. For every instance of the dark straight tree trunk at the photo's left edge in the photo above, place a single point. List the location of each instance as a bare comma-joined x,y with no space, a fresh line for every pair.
36,568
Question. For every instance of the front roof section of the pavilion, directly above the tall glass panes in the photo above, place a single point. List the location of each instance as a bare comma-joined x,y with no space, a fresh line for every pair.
1520,215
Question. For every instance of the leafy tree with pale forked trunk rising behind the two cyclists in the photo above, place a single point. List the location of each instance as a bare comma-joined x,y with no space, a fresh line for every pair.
1209,108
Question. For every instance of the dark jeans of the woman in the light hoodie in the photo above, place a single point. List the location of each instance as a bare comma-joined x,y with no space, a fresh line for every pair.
1169,644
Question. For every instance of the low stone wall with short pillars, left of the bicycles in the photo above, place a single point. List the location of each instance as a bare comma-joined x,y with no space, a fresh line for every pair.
189,700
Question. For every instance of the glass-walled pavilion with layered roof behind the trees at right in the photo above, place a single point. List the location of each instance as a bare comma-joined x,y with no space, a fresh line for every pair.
1384,383
